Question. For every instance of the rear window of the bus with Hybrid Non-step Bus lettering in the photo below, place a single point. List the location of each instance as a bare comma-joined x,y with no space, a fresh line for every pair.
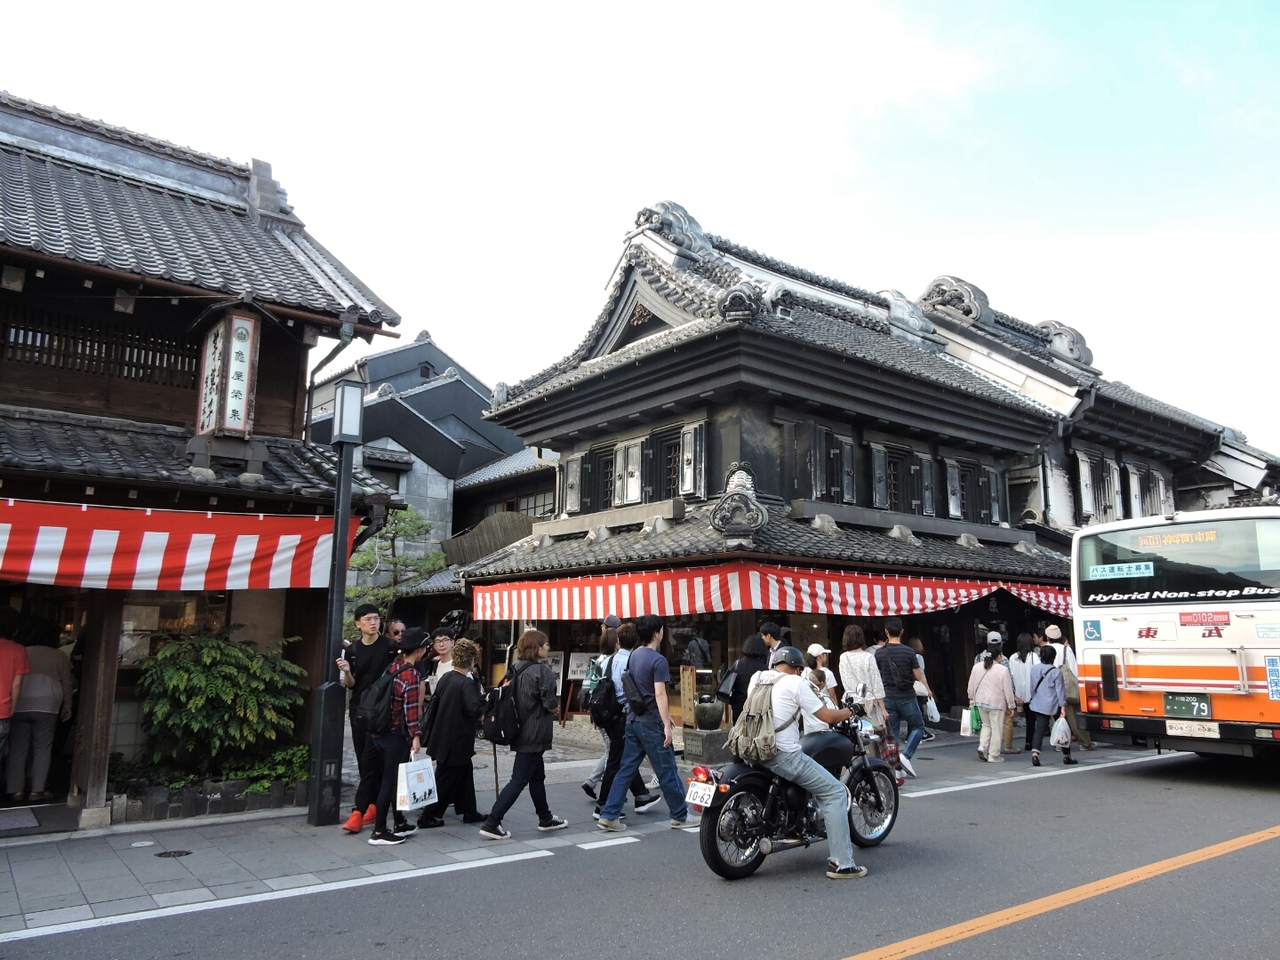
1233,560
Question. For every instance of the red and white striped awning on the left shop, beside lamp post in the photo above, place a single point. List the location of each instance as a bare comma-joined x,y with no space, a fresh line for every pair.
120,548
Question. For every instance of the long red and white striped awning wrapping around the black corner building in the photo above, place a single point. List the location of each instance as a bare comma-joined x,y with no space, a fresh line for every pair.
744,587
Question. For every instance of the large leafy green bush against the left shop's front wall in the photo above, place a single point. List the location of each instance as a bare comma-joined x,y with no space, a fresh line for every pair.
212,701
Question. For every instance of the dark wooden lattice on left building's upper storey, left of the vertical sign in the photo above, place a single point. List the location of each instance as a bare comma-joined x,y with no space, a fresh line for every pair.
103,349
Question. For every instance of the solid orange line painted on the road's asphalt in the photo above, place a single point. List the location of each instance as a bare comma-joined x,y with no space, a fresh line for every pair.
1055,902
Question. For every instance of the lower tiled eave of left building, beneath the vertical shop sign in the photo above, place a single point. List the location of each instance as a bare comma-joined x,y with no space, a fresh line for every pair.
70,445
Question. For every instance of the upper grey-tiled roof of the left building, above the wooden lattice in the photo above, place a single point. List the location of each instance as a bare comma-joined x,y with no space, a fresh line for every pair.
120,212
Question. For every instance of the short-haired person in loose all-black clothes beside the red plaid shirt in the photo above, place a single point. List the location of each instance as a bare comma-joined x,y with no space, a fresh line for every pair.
451,725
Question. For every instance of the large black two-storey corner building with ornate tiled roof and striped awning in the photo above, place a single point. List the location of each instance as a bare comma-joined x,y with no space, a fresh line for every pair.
742,440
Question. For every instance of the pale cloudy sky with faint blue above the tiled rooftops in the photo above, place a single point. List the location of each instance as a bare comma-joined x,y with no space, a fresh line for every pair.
1112,167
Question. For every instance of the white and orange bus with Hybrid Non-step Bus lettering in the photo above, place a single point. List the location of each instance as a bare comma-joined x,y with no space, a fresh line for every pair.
1178,630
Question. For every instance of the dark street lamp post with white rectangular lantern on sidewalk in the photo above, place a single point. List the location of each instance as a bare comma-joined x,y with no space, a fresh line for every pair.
327,729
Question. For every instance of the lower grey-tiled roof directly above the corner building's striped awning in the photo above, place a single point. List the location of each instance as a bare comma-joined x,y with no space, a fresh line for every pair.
783,540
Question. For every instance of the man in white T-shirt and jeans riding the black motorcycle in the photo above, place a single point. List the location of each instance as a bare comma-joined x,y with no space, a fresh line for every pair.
790,696
